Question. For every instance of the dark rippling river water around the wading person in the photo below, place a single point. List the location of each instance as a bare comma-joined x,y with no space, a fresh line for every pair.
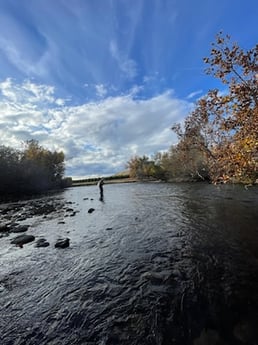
153,264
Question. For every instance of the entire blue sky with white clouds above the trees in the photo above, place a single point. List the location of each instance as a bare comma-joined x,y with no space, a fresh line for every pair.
104,80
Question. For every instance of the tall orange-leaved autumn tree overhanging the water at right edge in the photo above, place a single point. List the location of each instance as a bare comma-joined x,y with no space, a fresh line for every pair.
227,121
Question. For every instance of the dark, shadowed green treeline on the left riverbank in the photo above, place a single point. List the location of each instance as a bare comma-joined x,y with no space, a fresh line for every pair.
31,170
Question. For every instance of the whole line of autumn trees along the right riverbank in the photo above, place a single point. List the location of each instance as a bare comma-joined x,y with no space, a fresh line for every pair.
219,139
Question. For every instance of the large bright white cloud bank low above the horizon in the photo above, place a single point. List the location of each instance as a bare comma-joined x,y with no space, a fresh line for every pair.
97,137
